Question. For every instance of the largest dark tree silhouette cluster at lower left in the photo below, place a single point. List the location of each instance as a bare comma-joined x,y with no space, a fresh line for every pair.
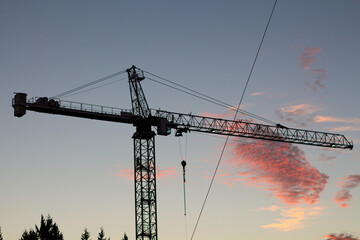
48,230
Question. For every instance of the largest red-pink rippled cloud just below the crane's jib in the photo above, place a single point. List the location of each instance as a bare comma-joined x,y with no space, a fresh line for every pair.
280,168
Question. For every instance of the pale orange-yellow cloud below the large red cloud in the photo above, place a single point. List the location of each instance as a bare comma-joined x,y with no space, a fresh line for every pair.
293,218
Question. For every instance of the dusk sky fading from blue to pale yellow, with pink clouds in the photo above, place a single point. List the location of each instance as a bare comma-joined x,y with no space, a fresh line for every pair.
79,171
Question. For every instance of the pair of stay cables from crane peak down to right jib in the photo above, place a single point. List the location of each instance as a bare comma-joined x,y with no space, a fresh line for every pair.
212,100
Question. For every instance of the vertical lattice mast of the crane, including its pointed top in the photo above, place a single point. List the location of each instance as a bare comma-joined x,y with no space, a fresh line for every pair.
144,160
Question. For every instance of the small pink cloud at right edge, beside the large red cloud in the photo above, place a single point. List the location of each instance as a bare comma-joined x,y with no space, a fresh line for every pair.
346,184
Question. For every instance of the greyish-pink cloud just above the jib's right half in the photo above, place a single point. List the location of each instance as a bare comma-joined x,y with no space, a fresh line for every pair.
298,114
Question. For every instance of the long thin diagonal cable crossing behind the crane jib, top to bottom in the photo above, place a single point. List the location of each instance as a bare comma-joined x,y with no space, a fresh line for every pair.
238,107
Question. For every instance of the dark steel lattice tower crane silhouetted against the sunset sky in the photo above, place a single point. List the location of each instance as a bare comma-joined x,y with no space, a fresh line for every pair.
147,121
